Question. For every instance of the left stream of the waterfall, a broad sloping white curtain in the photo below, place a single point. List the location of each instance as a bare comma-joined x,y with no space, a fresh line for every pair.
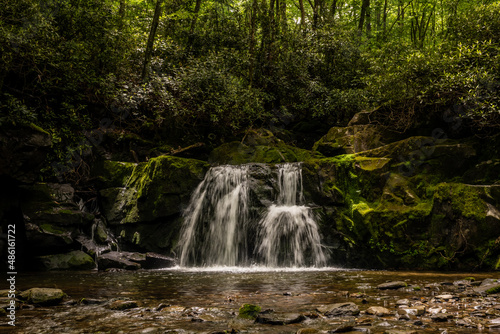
214,230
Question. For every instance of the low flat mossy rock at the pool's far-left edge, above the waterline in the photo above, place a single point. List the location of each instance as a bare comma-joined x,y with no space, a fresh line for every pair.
75,260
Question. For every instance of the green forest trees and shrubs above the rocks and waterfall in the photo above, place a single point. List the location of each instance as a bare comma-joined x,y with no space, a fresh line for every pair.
178,72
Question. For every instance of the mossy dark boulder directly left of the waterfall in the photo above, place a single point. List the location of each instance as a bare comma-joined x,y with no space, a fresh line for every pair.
142,202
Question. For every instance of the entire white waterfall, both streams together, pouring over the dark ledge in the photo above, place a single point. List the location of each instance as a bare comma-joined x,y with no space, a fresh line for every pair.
217,223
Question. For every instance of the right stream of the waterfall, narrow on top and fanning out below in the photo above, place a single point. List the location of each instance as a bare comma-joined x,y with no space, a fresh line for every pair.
288,234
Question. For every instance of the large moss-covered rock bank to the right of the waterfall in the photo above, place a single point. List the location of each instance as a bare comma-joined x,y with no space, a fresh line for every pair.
408,203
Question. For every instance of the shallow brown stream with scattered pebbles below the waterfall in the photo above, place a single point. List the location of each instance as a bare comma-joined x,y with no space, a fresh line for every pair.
207,300
